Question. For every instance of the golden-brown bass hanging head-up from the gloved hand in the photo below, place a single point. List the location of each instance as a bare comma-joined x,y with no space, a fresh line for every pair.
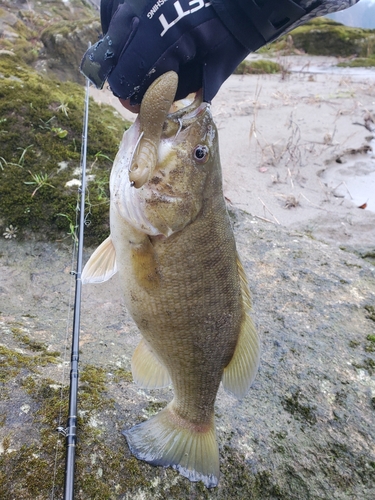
184,285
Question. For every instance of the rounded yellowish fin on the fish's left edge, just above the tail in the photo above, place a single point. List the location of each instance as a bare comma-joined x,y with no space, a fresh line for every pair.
147,370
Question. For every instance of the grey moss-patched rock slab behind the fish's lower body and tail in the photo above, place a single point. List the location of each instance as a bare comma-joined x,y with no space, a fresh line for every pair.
305,430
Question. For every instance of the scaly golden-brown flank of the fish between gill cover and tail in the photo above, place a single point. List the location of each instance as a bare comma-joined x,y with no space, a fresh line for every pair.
184,317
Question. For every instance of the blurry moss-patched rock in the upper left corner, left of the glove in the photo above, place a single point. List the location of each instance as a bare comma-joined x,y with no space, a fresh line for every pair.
52,36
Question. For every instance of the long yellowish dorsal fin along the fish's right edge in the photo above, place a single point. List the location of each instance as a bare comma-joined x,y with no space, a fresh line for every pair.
240,372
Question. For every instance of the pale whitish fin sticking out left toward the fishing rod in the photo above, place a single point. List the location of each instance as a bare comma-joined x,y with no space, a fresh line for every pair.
101,266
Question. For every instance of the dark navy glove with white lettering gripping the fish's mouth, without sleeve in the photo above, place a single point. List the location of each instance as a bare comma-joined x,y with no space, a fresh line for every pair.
144,39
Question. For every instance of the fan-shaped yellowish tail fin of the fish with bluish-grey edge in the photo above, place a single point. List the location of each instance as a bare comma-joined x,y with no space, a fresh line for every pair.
169,440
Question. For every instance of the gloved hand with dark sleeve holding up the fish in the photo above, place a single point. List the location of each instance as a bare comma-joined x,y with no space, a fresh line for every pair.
202,43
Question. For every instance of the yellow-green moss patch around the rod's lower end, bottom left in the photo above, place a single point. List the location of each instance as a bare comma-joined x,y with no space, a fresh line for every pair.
103,468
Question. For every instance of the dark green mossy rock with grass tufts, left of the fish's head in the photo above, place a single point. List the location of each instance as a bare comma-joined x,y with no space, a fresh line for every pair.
40,136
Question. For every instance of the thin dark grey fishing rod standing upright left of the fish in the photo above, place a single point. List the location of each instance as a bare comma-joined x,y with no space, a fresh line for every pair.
70,431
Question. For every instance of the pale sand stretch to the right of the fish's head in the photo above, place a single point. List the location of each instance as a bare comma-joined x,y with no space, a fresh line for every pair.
297,148
